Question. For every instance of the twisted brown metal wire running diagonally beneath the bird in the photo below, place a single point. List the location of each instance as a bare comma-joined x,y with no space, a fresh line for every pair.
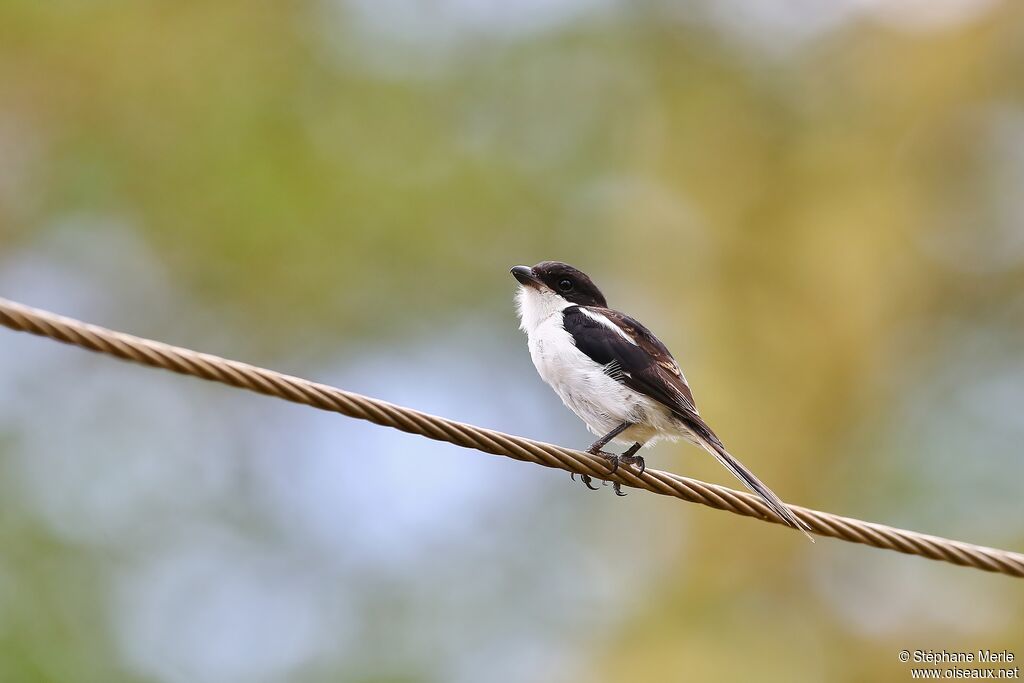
186,362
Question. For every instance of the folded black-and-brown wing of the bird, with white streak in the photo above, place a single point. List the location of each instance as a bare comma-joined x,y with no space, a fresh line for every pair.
637,358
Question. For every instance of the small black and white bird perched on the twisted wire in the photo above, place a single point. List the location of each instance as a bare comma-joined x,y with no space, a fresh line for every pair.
615,374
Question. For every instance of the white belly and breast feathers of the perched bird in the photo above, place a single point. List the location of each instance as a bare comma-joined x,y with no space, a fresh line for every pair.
602,402
